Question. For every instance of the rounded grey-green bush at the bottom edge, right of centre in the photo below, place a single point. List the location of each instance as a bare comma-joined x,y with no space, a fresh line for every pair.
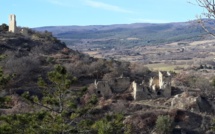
164,124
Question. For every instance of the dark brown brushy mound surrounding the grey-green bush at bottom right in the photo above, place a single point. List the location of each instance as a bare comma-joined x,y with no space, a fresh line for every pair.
185,122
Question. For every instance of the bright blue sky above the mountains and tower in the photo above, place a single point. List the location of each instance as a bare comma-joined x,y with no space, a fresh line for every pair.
37,13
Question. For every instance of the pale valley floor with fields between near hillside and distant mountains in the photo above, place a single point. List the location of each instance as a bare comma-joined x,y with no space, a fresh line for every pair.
168,57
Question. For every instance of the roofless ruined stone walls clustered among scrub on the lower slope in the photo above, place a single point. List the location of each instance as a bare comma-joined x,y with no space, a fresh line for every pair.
158,86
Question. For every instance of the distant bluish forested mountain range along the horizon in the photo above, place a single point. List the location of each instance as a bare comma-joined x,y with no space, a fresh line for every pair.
127,34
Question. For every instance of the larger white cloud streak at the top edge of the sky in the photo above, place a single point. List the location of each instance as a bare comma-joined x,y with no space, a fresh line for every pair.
106,6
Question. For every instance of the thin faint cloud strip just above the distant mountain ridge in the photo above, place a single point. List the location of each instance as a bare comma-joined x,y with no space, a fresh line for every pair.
148,20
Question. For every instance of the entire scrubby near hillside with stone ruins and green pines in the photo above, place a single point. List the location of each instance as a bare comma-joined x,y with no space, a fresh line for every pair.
46,87
